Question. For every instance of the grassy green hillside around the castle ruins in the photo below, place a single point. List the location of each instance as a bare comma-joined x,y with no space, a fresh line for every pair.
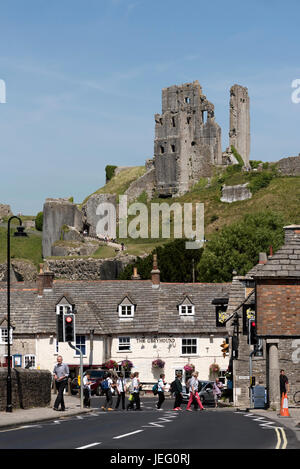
270,192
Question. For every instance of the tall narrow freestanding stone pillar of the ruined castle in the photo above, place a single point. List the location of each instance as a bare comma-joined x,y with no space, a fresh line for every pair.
239,134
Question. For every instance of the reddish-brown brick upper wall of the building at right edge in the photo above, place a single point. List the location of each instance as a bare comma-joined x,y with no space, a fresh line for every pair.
278,307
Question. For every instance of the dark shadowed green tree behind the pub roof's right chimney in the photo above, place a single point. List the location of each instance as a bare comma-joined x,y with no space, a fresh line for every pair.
175,263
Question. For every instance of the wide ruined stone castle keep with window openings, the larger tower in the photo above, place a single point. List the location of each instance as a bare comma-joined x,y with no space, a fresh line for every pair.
187,139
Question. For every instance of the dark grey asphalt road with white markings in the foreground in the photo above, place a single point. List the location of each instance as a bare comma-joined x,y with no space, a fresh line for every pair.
151,429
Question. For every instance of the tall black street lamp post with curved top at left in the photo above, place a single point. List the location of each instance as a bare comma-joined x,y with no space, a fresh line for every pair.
20,232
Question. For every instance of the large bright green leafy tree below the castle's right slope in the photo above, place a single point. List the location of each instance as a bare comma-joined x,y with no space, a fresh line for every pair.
237,246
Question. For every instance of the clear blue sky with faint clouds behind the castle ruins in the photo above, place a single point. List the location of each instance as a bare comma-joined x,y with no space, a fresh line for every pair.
84,79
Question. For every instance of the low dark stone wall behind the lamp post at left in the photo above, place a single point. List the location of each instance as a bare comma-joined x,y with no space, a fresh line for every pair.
30,388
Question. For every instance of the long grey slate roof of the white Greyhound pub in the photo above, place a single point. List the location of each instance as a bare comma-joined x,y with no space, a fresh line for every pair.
97,303
